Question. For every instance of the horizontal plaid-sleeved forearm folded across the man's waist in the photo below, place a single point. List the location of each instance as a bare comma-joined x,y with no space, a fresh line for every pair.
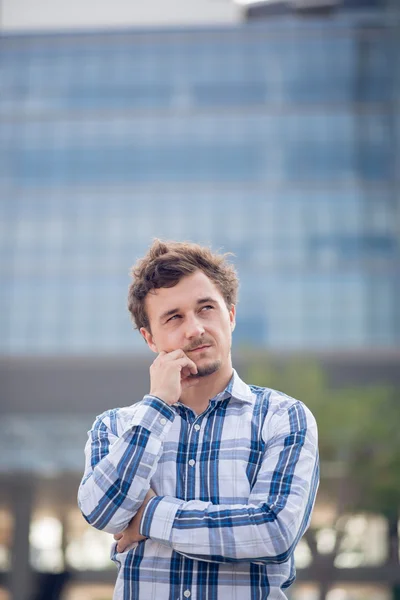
230,533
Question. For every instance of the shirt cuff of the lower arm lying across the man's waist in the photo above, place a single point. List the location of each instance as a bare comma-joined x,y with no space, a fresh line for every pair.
158,518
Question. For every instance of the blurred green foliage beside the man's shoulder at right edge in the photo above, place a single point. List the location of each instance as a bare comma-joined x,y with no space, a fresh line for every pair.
359,433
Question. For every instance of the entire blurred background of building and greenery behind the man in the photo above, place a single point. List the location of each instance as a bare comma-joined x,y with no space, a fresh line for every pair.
270,129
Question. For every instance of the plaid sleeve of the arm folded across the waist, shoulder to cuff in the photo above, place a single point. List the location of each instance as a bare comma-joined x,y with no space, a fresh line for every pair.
267,528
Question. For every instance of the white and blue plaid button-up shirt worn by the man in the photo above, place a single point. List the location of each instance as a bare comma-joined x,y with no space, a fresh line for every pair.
235,489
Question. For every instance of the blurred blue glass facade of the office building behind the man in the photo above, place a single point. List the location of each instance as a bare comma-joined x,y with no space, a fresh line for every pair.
278,141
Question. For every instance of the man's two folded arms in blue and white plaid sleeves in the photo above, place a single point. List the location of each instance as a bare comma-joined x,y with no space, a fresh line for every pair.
119,468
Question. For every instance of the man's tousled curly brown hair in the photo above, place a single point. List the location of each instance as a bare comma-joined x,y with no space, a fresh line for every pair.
166,263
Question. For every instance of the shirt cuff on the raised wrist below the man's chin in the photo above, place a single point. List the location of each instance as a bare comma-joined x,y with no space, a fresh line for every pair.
153,414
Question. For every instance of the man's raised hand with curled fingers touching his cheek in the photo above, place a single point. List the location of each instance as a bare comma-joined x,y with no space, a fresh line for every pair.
170,373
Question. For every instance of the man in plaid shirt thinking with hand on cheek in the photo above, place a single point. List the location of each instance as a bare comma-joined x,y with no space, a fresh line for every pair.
207,483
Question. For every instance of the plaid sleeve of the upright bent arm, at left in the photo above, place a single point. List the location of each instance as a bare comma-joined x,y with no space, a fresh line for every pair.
120,460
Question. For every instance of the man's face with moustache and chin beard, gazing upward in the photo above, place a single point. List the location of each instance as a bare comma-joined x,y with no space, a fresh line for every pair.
191,316
